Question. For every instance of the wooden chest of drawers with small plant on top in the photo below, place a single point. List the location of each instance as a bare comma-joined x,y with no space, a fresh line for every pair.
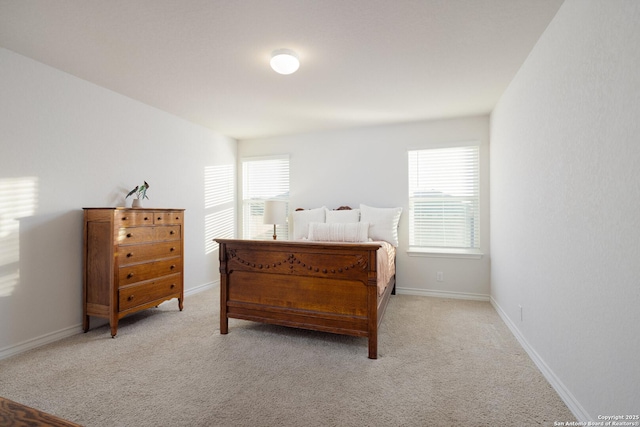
133,260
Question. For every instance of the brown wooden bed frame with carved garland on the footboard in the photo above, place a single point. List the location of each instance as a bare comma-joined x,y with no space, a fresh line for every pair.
329,287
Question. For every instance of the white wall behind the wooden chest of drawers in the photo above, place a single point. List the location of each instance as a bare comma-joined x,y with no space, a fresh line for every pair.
73,144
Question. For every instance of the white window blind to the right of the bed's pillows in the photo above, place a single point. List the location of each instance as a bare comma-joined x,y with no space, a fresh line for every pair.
444,198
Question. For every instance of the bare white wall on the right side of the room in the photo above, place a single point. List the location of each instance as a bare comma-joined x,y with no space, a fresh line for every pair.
565,204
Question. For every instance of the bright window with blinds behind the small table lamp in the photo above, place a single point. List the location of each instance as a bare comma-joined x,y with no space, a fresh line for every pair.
263,179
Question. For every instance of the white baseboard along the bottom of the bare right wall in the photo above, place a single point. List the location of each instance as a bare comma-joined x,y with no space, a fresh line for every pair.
567,397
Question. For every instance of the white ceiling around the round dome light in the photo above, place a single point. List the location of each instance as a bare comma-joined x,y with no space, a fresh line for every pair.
364,62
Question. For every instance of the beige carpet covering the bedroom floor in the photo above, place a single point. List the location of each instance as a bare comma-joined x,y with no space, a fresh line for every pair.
441,363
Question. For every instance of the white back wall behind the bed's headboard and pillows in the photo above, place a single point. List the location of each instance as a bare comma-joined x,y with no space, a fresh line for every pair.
369,165
